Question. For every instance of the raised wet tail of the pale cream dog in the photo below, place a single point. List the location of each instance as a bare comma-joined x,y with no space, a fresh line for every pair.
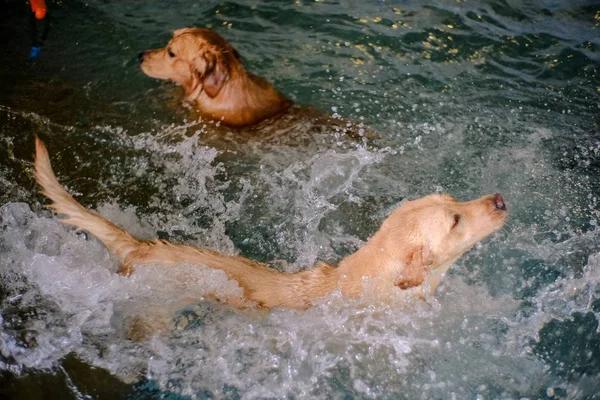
114,238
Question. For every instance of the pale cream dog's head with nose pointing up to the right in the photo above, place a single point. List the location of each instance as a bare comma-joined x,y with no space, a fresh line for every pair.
431,233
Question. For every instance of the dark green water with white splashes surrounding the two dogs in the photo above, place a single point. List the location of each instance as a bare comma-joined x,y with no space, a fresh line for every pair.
466,97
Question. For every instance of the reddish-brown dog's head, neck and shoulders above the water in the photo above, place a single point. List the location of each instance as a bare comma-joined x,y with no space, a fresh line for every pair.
211,72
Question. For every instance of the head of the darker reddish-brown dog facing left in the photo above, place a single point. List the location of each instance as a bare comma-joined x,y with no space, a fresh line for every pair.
198,59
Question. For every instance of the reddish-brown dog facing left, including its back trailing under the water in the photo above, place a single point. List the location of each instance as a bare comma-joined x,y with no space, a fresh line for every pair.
215,81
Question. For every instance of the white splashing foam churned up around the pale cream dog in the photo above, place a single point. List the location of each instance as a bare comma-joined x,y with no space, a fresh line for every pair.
473,341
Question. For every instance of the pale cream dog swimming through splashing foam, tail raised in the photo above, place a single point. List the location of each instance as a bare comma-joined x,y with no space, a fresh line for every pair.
414,247
